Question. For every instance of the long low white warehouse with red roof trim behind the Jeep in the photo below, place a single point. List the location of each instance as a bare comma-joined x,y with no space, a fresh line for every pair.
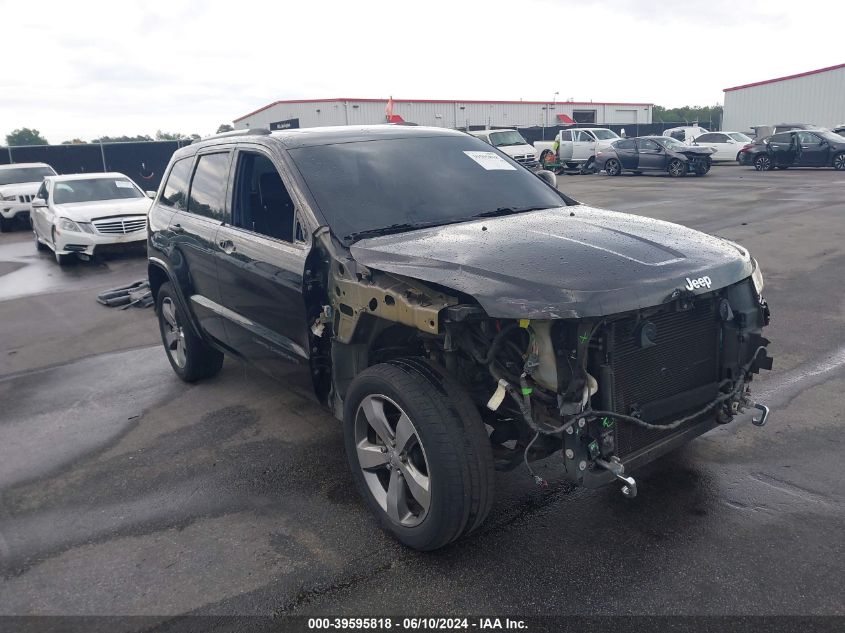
450,114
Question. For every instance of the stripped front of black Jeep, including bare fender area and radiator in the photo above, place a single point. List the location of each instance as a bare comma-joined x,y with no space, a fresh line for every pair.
609,392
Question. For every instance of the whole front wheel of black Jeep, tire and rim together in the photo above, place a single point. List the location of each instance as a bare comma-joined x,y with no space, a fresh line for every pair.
427,473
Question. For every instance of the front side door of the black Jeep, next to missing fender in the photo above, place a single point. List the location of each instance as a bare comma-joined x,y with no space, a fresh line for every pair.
262,266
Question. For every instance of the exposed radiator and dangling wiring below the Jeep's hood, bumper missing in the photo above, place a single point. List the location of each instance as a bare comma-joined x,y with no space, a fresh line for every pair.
613,393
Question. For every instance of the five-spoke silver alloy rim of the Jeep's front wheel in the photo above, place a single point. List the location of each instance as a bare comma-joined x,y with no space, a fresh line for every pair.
392,459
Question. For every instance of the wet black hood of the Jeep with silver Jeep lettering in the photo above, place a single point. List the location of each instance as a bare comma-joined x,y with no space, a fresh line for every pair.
568,262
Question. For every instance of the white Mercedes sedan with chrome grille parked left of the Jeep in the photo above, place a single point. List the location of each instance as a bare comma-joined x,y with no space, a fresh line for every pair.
80,214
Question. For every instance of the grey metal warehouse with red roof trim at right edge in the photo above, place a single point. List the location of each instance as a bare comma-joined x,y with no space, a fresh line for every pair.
816,97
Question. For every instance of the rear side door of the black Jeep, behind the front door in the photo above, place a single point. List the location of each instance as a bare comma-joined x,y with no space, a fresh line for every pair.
198,215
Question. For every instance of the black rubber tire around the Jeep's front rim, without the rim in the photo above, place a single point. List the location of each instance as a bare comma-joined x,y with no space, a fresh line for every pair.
454,442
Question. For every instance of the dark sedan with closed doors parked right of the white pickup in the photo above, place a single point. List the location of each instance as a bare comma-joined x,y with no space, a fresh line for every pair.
654,153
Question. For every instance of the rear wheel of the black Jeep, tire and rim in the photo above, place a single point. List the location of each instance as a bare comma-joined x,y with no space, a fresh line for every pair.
190,357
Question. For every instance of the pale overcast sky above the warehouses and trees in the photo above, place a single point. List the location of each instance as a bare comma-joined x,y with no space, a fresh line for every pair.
85,69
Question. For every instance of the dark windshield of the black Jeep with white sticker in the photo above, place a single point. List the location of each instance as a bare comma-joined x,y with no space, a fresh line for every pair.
419,181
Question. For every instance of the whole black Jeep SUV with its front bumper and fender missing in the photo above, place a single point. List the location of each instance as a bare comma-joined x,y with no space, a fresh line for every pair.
455,311
